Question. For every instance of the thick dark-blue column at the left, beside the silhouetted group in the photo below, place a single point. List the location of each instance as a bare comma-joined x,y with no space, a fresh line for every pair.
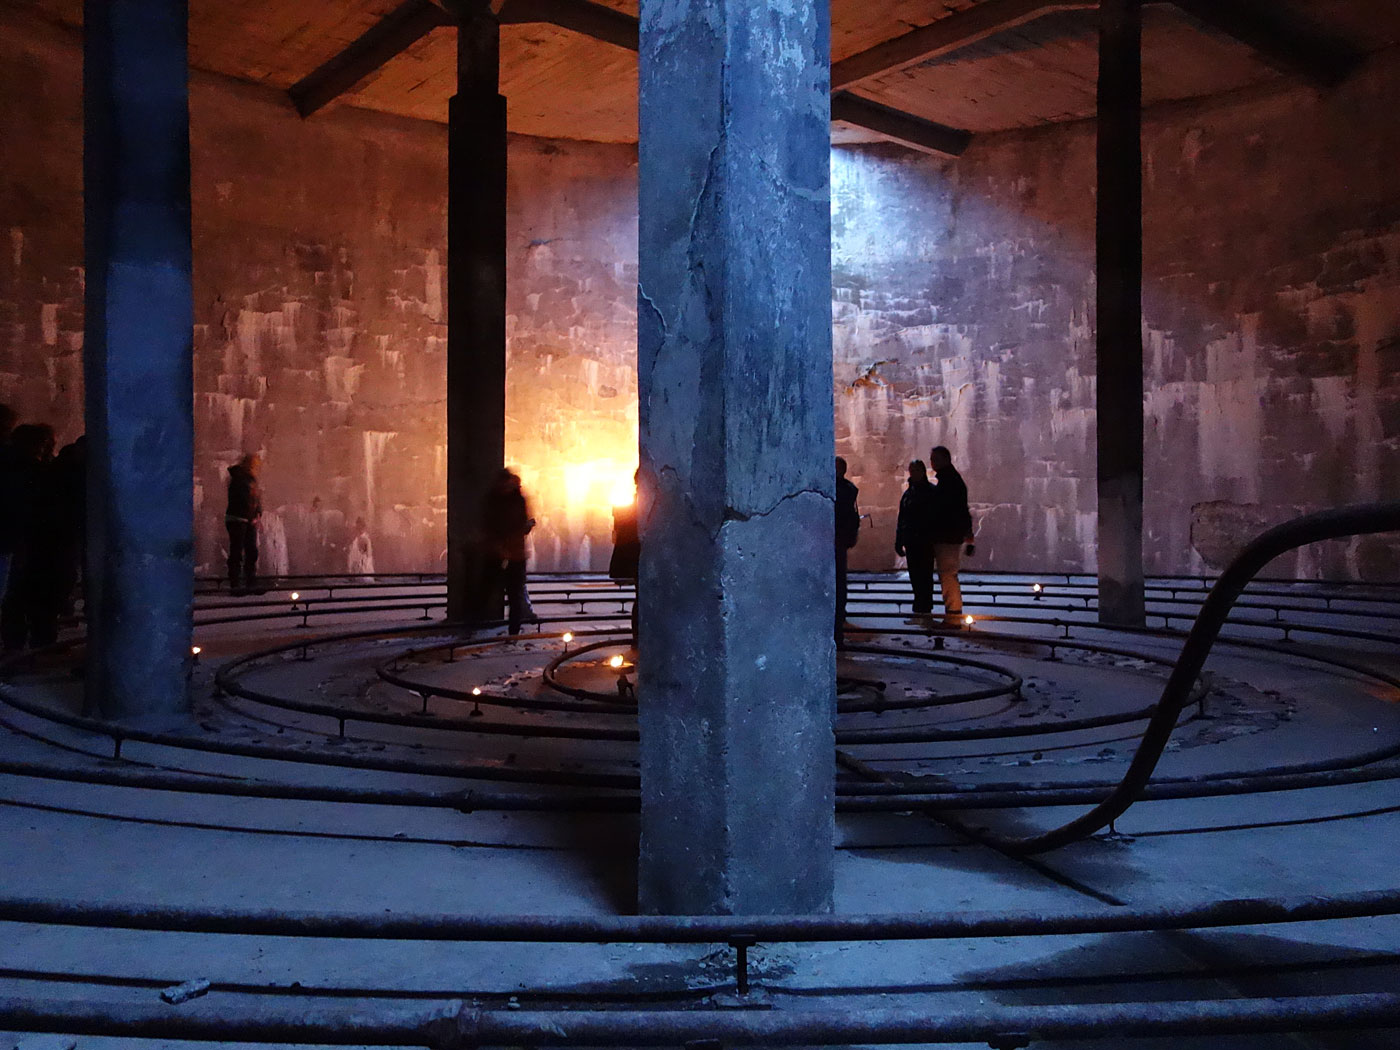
138,356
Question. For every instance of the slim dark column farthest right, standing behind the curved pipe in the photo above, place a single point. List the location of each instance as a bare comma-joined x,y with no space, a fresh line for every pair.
1121,313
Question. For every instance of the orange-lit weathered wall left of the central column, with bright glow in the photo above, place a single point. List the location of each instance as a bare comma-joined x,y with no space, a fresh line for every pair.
320,314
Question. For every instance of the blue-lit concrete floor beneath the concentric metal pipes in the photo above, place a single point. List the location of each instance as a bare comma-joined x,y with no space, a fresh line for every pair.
100,843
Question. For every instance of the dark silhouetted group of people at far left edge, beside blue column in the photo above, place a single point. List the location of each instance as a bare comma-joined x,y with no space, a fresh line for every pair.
43,513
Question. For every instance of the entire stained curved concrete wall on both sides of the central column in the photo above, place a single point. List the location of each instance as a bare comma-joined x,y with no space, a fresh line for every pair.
962,304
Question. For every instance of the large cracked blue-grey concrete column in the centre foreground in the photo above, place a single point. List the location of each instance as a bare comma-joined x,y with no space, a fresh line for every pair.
737,688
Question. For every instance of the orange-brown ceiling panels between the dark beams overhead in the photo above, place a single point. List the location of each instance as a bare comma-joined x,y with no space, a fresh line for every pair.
561,83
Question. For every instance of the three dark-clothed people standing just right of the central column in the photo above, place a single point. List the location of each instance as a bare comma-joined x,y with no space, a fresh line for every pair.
933,534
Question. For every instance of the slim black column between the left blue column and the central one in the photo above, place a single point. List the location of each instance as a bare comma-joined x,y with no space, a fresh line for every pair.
477,300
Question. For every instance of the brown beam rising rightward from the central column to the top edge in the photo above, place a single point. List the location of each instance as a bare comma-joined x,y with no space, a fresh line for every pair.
947,36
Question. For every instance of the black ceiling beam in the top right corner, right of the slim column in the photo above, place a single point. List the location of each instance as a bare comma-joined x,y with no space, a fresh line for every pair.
1284,40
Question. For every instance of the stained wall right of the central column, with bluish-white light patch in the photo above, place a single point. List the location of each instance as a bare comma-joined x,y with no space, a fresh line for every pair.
964,306
